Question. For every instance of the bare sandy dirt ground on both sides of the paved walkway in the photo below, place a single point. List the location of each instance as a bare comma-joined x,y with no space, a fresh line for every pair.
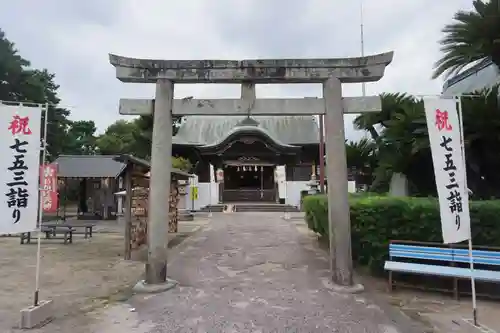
90,274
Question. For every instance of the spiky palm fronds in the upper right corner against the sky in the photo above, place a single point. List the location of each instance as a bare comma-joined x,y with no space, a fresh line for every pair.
474,35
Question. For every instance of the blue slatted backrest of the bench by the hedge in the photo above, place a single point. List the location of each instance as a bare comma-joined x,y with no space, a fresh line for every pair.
443,254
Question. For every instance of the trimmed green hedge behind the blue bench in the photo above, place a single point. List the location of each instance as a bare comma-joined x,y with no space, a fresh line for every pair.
375,220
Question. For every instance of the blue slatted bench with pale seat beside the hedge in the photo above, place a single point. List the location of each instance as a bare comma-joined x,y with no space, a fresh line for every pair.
436,260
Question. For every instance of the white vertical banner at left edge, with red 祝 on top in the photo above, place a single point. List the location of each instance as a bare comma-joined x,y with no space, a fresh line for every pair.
20,133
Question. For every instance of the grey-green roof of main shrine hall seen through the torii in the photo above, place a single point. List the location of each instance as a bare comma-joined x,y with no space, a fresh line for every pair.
210,130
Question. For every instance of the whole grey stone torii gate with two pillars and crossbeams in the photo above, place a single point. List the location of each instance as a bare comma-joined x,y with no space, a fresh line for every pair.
330,72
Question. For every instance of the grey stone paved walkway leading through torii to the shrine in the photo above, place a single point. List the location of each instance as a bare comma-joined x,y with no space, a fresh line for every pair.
246,272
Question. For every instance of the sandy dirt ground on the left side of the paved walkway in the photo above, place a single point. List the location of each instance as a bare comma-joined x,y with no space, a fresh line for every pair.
79,277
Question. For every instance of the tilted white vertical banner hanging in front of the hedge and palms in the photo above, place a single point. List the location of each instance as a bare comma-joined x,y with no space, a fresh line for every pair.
444,134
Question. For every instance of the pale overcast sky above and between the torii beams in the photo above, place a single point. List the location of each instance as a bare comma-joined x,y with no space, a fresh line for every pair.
73,38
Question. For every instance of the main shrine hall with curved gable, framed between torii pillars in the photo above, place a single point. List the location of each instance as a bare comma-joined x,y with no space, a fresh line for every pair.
261,159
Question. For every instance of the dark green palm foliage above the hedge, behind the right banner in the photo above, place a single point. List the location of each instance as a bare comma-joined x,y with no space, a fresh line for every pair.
403,151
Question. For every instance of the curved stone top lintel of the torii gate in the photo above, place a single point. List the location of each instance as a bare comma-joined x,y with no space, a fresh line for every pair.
347,70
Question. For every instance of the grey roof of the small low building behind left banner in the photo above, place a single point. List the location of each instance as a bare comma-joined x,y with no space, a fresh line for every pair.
88,166
